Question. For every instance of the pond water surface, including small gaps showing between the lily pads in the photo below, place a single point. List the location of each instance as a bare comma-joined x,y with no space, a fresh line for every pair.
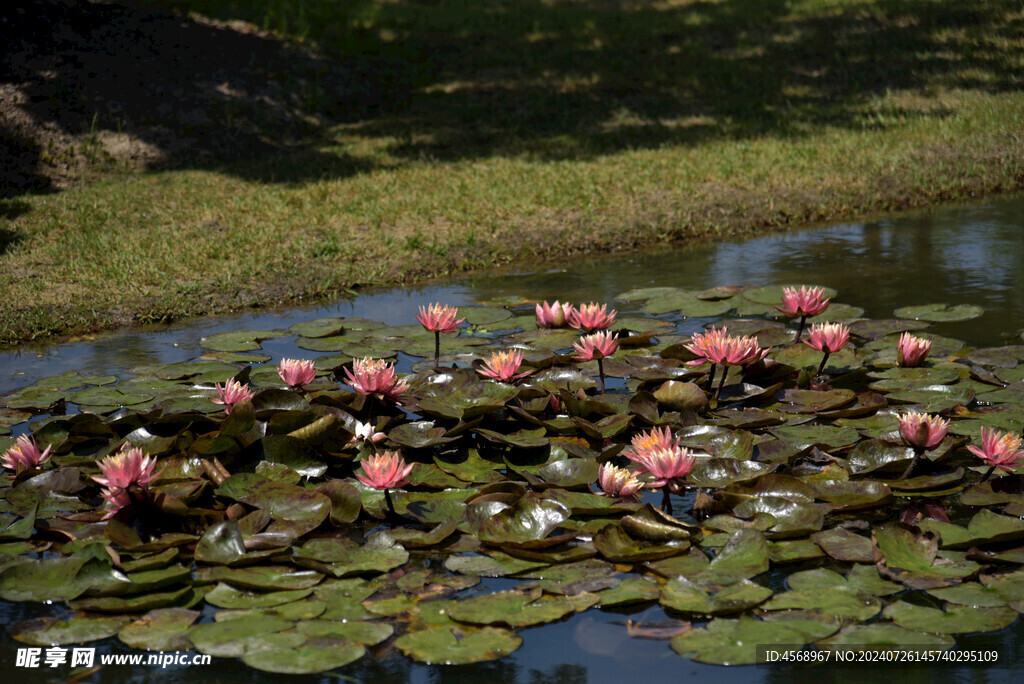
967,255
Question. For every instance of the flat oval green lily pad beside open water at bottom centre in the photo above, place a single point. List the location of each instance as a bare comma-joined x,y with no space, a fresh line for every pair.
458,647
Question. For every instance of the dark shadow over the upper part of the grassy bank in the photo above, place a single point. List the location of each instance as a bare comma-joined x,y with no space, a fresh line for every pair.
457,79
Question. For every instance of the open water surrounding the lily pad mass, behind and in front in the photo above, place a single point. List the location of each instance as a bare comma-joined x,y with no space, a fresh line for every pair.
969,254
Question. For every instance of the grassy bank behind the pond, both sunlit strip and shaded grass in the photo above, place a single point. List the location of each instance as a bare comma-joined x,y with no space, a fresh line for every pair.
454,136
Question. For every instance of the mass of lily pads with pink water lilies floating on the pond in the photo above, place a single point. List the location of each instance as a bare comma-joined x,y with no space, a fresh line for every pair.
331,505
